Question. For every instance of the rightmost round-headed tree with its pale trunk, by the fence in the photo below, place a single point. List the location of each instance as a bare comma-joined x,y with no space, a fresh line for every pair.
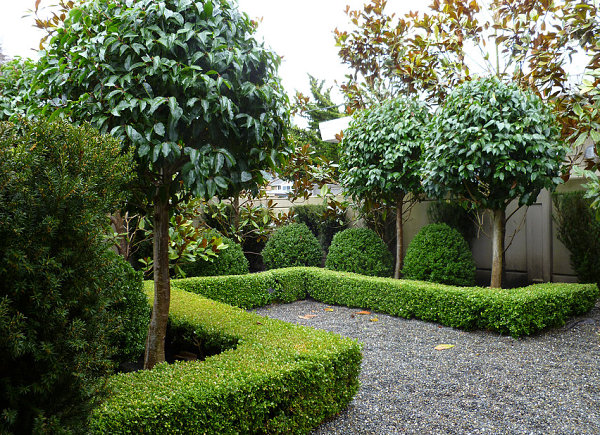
492,143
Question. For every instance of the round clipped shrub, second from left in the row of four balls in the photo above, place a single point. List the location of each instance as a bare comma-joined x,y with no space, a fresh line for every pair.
290,246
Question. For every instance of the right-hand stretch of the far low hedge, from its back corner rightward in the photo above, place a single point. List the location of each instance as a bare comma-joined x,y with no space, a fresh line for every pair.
517,312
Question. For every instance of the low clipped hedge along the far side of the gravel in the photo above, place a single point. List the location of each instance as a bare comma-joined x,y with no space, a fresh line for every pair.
516,312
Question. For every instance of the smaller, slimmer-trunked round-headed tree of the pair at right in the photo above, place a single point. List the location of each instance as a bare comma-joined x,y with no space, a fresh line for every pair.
381,153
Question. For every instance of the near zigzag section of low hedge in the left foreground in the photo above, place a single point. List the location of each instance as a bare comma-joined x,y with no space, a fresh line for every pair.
275,378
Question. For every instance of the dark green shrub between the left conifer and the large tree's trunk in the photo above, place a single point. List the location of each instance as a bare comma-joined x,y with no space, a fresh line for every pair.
129,308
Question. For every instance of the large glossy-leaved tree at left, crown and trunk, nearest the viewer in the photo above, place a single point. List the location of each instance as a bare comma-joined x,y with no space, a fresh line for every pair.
187,86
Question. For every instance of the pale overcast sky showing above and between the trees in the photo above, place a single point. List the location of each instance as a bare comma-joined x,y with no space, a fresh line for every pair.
300,31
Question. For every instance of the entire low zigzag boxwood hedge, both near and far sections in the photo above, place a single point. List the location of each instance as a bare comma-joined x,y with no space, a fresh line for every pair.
277,377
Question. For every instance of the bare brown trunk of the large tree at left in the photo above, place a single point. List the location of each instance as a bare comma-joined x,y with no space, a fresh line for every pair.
155,344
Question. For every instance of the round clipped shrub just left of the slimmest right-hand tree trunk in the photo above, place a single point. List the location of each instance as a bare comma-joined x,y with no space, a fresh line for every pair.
360,250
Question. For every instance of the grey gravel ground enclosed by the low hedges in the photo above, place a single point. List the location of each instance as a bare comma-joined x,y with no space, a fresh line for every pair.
548,383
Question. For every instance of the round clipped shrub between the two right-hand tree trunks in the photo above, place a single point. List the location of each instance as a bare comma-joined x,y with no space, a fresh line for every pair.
439,253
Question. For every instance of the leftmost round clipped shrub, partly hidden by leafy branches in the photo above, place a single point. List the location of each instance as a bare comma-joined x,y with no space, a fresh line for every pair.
231,261
